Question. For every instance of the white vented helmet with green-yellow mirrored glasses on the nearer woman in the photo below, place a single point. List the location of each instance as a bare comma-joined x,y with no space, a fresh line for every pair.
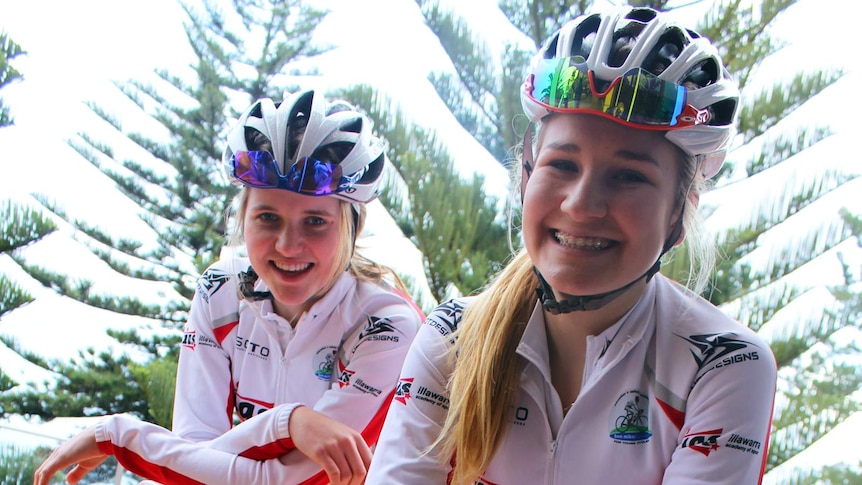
638,66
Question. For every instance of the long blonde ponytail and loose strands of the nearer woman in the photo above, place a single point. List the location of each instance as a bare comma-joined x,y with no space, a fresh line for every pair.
485,379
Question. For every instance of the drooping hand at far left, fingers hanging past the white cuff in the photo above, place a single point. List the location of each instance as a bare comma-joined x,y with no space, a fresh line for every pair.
81,450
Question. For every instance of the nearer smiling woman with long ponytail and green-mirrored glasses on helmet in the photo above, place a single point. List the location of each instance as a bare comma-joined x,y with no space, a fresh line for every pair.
581,363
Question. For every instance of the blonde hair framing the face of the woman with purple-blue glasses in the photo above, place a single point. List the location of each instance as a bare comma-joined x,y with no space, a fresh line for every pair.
346,257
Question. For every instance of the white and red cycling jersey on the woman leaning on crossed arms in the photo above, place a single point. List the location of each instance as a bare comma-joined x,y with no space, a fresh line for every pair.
342,359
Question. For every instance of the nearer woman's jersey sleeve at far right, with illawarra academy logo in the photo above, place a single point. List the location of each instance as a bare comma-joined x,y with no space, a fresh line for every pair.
725,429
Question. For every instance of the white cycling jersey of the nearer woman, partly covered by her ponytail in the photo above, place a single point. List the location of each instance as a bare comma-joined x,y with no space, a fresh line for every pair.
673,393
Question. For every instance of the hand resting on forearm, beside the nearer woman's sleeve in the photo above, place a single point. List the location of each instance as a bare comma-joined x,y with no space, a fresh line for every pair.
337,448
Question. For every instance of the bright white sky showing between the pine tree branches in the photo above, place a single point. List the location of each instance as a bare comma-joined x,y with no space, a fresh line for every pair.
76,48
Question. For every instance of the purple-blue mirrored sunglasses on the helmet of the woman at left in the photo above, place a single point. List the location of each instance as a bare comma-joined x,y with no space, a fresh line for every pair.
307,176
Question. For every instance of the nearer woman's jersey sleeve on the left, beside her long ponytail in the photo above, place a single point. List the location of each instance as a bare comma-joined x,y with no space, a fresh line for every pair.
416,417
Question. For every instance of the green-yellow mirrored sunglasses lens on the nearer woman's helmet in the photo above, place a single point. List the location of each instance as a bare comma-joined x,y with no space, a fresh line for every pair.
637,97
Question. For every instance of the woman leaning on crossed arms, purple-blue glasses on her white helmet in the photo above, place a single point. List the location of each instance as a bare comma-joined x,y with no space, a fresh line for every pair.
301,342
